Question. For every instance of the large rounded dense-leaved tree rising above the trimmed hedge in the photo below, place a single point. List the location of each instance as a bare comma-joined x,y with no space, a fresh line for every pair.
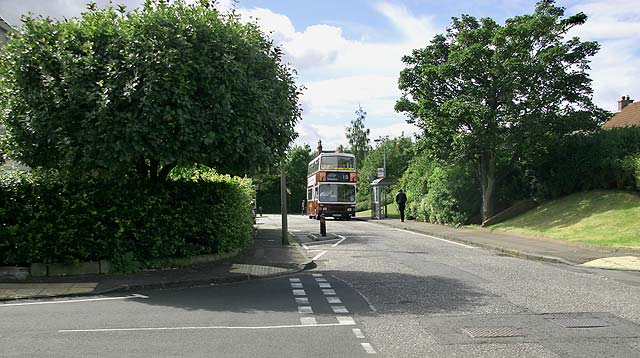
118,94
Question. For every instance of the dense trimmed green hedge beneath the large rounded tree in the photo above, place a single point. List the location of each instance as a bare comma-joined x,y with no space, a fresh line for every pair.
46,219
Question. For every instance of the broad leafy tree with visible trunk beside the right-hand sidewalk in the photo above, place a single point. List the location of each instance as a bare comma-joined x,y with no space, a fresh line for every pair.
486,93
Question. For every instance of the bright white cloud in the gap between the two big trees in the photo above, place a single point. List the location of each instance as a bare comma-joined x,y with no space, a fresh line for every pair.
350,72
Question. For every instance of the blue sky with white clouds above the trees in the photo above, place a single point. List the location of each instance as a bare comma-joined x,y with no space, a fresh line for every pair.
348,52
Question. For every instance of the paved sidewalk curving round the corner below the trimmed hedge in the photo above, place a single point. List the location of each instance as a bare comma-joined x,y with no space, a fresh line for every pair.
266,257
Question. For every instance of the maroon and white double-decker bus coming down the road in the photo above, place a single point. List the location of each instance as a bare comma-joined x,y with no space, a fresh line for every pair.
331,186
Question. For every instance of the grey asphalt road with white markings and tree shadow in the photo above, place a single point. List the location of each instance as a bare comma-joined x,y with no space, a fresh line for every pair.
376,291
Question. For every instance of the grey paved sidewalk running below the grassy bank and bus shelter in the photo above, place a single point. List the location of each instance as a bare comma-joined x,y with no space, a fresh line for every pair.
531,248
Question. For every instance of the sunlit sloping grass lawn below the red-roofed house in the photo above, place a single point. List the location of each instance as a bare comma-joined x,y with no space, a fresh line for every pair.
599,217
